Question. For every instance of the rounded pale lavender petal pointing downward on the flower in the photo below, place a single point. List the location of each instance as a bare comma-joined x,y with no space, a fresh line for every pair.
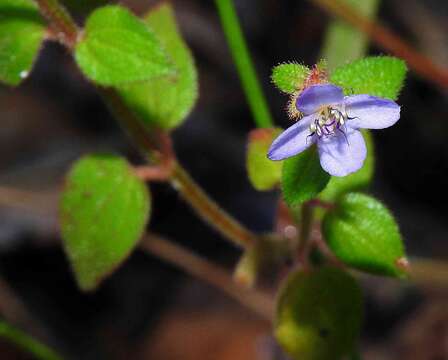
342,155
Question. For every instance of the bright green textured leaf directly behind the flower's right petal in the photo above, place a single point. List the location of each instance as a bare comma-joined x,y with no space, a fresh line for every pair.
381,76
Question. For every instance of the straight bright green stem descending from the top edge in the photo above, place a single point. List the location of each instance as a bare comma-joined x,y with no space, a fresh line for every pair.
244,64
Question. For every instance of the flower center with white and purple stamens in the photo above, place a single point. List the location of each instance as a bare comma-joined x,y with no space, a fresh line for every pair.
329,121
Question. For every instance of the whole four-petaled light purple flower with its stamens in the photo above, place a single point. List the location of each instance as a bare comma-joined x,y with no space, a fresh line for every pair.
332,121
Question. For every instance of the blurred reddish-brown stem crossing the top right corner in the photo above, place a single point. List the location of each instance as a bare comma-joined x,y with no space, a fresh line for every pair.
388,41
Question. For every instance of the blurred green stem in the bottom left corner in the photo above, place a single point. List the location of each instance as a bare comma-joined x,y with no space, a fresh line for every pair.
27,343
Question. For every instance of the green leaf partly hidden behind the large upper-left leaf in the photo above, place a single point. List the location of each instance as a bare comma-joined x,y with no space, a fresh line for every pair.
166,102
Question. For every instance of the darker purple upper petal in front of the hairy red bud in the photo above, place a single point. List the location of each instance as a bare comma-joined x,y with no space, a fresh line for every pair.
315,96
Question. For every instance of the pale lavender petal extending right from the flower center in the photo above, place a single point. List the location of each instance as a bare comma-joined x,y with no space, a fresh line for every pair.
371,112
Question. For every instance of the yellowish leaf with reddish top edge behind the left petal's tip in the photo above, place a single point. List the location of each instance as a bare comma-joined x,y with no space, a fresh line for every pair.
264,174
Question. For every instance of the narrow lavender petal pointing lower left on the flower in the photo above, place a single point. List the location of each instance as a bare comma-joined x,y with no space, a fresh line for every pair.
292,141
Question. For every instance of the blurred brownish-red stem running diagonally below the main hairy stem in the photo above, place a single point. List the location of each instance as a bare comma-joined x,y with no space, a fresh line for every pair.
182,258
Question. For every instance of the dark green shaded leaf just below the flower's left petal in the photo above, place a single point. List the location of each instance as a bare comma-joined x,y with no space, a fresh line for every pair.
302,177
